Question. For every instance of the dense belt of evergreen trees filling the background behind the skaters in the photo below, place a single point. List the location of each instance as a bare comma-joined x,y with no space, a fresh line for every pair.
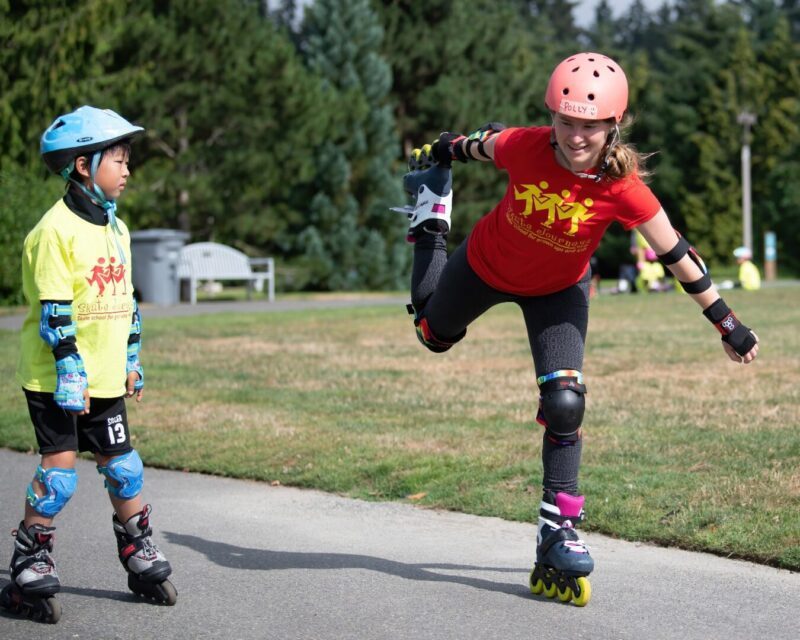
282,130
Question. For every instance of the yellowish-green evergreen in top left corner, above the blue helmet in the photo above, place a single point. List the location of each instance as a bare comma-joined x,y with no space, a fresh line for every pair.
53,59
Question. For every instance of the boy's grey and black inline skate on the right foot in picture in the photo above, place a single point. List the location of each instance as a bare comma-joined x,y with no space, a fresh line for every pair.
147,567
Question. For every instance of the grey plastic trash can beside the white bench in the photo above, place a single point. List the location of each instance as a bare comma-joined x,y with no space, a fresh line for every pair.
155,254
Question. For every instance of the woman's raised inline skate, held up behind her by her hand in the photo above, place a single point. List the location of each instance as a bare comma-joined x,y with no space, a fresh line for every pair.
431,189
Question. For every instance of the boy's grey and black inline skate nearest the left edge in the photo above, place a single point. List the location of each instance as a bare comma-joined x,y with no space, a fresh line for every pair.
34,580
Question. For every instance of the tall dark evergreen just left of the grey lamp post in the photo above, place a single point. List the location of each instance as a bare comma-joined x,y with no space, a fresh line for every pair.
686,75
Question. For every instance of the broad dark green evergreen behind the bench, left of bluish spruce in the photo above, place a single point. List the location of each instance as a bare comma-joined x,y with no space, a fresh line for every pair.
227,109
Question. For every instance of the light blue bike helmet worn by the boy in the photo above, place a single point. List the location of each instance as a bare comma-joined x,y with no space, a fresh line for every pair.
82,132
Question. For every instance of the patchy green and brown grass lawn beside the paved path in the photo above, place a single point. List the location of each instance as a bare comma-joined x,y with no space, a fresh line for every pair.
682,446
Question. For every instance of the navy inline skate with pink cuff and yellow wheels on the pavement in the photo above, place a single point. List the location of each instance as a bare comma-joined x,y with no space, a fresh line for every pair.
562,559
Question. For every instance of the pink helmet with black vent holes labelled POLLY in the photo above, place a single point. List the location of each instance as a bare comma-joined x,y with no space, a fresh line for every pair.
589,86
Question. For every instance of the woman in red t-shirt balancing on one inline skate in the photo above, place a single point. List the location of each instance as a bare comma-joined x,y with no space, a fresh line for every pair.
566,184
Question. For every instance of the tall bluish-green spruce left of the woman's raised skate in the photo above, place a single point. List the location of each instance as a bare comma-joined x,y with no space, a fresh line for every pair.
351,240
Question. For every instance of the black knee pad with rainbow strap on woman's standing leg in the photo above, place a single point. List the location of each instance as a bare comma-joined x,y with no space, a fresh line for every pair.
561,405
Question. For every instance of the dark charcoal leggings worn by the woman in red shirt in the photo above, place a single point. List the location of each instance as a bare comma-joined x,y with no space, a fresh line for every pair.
453,295
